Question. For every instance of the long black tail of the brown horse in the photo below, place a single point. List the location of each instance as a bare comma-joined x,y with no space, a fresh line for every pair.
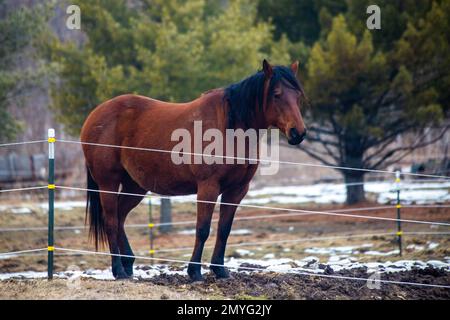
94,212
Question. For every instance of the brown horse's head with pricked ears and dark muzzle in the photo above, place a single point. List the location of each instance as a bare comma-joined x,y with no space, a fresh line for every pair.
282,101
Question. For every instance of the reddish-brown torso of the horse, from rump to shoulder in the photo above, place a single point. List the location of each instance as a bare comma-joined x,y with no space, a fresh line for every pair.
143,123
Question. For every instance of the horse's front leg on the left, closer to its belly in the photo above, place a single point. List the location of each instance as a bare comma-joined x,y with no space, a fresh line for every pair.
207,192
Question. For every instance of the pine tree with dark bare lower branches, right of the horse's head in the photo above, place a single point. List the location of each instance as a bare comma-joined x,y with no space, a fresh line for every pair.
365,96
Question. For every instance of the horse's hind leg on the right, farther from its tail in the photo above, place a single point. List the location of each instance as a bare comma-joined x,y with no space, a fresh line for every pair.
126,204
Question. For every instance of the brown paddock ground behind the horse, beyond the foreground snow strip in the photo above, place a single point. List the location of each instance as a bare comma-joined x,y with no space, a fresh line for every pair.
306,227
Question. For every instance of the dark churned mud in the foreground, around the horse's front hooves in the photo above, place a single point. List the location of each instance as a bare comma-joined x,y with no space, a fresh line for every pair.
289,286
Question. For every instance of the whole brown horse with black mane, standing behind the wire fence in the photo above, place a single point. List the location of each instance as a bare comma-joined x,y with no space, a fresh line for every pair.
269,98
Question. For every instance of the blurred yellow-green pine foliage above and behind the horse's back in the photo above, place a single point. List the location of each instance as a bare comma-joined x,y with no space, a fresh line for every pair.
170,50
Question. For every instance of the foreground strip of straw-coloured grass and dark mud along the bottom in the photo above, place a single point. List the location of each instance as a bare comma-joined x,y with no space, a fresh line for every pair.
261,286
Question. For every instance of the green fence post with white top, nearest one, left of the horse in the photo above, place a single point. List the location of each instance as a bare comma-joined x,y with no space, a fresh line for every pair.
51,200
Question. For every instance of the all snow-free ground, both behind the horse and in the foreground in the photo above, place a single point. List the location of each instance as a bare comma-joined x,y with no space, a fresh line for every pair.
241,286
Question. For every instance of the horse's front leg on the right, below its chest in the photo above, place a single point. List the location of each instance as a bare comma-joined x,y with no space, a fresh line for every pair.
227,212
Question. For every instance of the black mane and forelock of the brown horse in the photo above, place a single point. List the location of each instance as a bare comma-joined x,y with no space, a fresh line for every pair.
244,96
